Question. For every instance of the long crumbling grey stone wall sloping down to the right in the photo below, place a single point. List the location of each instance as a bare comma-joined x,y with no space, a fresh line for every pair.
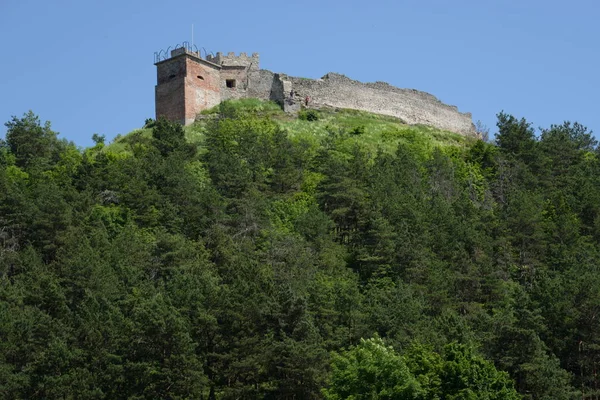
412,106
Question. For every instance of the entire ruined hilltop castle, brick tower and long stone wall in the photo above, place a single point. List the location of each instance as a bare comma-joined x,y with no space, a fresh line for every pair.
187,83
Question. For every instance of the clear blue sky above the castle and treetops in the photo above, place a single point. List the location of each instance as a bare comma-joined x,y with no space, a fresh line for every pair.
87,66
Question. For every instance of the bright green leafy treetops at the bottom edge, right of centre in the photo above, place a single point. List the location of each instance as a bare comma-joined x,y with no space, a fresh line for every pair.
373,370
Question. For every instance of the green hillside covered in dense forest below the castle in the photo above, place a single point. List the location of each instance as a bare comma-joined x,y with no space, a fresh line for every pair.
337,255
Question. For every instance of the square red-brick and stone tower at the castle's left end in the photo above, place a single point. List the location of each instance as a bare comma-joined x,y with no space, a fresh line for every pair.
186,85
